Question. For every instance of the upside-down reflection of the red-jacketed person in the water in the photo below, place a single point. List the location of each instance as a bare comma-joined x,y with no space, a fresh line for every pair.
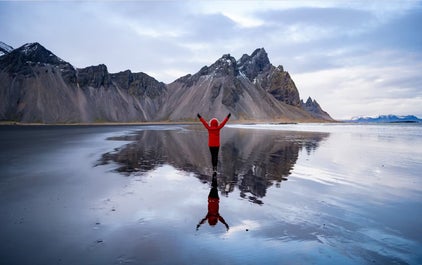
213,215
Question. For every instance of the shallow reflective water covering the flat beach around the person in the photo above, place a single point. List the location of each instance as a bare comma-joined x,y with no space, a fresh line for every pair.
290,194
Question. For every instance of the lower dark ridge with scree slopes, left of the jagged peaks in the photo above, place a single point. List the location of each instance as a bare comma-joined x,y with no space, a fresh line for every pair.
38,86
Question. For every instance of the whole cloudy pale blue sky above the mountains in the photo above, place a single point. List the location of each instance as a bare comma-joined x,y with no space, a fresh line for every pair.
356,58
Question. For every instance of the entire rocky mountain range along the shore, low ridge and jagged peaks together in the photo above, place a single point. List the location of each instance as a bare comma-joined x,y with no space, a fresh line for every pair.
38,86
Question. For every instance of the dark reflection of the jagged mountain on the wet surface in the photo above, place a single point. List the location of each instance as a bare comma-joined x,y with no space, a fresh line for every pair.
251,160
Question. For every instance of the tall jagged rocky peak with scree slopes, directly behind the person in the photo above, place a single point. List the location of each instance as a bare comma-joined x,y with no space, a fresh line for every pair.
250,88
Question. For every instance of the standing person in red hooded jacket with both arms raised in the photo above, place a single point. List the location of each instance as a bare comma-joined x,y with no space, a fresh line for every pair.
214,137
